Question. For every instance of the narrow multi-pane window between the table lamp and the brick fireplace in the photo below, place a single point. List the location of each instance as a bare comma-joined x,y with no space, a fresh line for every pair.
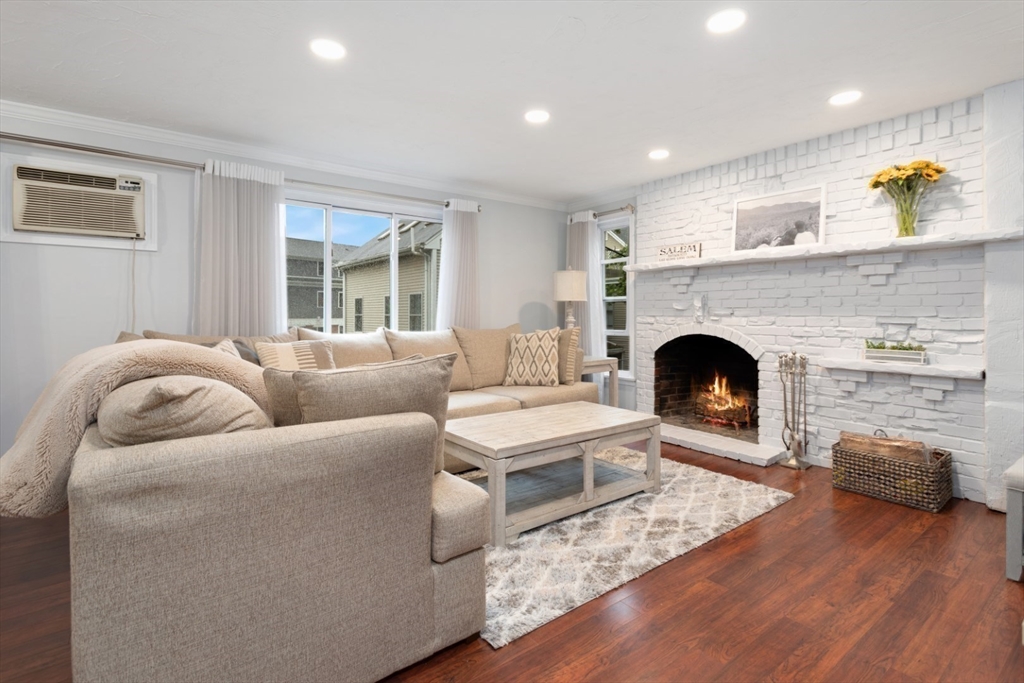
617,232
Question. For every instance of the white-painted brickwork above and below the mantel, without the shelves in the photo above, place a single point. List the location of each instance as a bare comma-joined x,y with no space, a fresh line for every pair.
829,306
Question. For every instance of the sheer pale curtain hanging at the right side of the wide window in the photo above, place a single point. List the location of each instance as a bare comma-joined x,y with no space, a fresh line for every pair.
458,291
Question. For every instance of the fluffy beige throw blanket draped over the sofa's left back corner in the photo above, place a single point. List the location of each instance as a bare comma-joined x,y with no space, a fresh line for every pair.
34,473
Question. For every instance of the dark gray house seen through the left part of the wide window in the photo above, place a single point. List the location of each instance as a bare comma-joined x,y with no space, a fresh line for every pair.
306,284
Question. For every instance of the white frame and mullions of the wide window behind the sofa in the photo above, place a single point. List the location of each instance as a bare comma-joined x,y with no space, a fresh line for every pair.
396,210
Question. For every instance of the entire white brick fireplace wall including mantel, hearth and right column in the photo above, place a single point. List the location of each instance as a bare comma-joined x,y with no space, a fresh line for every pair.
958,289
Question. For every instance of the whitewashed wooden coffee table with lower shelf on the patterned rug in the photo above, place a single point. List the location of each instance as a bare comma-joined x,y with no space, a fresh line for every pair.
506,443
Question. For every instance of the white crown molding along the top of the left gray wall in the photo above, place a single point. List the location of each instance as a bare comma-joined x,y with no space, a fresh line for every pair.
211,146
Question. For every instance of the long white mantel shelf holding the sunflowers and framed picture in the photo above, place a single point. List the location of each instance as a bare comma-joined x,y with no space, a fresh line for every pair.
824,251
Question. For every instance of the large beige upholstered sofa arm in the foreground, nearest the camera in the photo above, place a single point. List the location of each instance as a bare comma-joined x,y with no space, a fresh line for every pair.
189,558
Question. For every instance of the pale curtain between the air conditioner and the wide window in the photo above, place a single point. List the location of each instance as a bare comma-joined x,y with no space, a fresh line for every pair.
240,252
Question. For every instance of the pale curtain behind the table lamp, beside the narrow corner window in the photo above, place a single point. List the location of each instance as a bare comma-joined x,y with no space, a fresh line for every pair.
584,253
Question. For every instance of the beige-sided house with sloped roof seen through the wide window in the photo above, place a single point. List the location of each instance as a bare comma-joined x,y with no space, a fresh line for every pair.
367,274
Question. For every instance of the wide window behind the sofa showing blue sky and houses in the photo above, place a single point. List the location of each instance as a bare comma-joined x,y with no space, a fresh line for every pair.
361,257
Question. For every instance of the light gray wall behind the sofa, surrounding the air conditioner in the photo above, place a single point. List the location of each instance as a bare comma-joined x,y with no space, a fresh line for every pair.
57,303
